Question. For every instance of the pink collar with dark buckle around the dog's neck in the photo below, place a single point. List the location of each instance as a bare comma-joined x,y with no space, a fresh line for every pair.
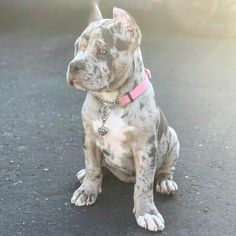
137,91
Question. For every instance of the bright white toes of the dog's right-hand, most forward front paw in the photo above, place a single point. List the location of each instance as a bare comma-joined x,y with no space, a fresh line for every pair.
151,222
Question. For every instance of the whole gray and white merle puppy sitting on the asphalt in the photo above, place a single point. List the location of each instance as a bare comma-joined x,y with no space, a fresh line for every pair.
134,142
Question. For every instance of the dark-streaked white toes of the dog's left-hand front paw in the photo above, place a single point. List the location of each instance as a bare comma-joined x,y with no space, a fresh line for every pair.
82,197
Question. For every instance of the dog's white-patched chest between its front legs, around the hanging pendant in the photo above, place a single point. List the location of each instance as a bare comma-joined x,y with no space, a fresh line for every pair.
113,145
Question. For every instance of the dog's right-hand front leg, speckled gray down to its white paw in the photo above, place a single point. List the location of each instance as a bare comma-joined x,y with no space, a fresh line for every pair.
146,213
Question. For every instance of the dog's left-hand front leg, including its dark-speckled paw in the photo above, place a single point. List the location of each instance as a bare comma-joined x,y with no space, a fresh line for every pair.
87,193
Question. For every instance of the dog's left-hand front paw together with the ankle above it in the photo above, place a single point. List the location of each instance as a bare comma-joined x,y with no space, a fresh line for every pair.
86,194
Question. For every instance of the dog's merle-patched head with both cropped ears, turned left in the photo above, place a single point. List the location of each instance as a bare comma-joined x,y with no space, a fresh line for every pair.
104,52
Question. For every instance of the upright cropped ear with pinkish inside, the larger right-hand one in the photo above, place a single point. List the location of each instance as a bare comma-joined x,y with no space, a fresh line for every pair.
128,27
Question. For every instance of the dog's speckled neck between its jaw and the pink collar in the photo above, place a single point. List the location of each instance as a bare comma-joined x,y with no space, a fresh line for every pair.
131,79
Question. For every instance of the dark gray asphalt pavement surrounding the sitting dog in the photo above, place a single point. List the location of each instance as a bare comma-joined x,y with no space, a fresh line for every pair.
41,130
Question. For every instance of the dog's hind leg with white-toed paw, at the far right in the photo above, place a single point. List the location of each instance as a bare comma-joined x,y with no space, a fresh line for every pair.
164,175
